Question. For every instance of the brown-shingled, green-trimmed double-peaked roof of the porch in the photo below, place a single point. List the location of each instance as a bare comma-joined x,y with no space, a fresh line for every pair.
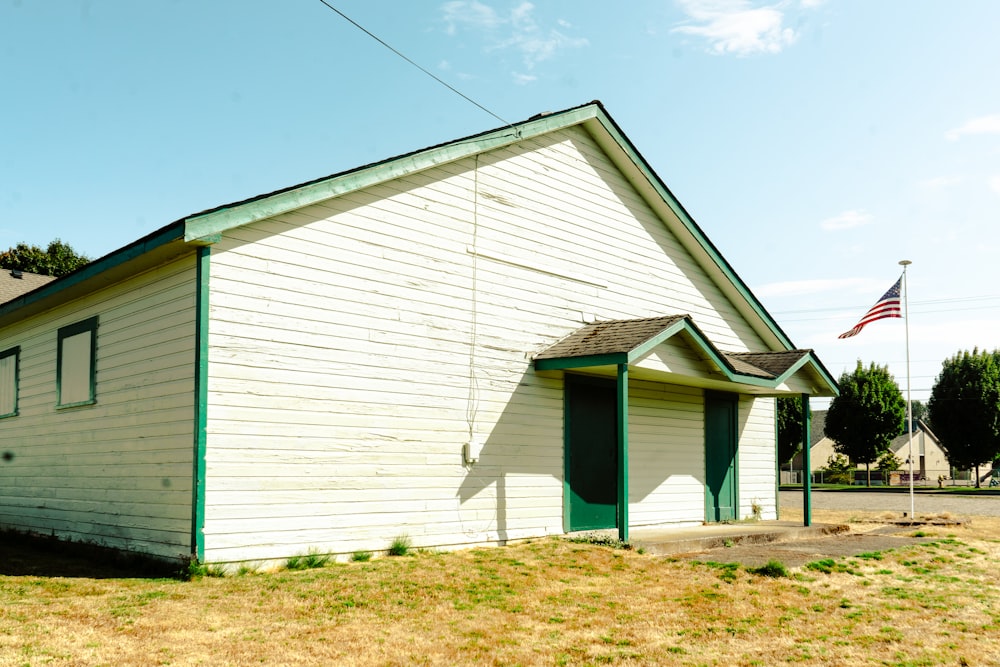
616,342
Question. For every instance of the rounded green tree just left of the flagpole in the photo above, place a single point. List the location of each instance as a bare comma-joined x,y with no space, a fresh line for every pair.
869,412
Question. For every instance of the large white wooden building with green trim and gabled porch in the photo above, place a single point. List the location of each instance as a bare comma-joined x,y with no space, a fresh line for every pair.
515,334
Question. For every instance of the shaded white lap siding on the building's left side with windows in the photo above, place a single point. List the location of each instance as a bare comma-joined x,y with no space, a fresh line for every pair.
116,473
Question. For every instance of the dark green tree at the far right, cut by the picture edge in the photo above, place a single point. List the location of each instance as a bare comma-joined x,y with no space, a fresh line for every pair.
965,408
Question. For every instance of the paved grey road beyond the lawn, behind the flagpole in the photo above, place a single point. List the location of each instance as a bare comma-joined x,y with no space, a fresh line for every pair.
924,503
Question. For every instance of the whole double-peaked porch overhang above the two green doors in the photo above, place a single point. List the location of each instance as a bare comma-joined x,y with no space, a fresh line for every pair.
672,349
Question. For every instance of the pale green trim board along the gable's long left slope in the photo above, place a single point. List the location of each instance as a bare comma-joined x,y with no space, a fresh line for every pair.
219,221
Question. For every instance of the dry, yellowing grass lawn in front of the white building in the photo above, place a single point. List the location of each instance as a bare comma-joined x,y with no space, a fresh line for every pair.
545,602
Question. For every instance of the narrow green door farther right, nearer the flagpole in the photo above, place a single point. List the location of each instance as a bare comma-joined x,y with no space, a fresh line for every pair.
720,458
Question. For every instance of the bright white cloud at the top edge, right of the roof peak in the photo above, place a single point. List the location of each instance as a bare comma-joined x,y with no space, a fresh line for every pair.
736,26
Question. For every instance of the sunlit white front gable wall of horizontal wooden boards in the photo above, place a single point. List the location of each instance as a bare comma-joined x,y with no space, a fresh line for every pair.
357,344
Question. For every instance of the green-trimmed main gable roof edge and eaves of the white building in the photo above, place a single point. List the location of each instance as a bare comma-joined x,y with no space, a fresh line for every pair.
206,227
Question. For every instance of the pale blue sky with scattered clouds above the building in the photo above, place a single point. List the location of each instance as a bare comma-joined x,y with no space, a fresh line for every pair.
817,142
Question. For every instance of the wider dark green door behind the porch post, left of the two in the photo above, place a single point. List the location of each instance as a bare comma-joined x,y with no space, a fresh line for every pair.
591,453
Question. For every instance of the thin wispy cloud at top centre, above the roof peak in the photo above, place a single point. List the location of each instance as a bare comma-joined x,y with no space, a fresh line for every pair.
517,30
